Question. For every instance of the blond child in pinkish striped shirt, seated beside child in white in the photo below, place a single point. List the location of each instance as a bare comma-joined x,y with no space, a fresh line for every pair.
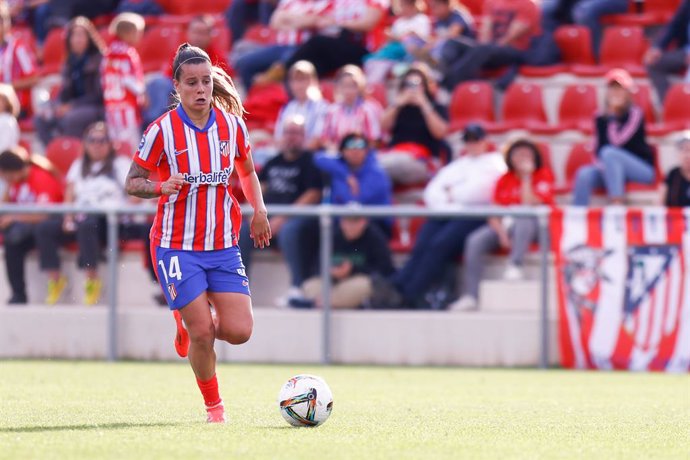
352,111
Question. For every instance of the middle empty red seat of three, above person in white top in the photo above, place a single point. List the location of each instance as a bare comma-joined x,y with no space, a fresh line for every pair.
523,107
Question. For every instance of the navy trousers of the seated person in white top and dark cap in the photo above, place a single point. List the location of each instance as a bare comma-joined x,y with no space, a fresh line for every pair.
439,242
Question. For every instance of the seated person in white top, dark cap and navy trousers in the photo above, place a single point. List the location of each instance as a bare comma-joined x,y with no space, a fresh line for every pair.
467,181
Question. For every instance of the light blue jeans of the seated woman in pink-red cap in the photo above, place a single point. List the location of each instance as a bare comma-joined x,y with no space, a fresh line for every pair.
615,167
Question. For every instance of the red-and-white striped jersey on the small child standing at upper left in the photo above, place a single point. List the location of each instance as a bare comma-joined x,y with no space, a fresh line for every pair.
122,76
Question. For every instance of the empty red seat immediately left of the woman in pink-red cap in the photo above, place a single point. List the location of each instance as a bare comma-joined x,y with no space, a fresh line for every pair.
576,110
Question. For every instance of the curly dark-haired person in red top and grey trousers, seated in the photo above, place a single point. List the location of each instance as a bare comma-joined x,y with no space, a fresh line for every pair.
526,183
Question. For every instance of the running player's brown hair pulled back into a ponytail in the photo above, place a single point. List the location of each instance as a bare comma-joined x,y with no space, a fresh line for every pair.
225,96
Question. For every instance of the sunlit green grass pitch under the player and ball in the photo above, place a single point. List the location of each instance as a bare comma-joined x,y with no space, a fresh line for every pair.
92,410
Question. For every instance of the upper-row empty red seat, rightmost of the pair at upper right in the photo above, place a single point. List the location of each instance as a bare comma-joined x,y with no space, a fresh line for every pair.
620,47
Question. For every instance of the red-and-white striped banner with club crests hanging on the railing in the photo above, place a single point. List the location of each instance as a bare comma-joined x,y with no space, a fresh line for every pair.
623,288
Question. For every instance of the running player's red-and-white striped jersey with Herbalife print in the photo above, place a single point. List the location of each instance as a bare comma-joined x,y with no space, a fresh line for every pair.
204,215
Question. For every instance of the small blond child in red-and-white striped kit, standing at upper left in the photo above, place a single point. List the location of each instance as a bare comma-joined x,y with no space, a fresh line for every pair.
122,78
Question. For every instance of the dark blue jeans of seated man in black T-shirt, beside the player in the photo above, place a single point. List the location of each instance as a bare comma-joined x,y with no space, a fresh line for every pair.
298,241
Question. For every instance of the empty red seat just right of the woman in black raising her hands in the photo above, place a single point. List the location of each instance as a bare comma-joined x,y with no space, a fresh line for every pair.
471,101
